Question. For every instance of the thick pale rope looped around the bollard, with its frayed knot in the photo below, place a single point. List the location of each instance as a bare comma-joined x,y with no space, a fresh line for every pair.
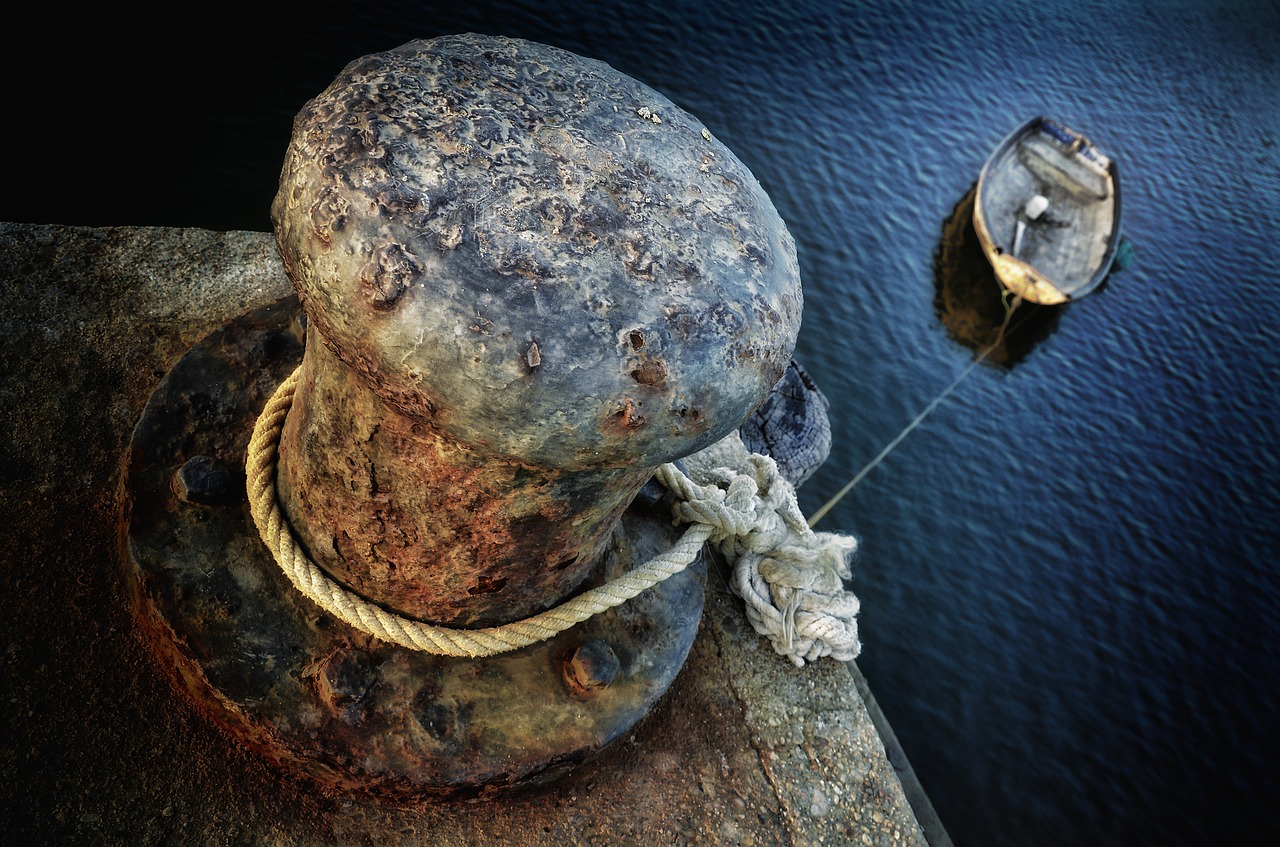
790,576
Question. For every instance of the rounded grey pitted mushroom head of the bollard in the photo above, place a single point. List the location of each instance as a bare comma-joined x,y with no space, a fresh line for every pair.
536,254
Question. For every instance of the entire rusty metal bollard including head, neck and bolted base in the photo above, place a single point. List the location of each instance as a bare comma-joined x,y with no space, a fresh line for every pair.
527,282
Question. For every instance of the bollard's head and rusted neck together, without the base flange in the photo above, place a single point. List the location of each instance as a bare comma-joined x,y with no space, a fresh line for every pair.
529,281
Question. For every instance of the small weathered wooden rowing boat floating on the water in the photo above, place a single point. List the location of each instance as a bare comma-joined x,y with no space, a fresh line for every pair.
1048,213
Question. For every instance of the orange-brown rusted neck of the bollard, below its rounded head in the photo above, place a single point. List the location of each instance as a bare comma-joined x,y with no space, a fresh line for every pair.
428,526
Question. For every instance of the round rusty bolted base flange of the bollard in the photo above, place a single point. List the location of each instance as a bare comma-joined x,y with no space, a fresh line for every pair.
319,698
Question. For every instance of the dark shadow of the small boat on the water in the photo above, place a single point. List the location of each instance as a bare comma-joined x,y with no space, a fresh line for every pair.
972,304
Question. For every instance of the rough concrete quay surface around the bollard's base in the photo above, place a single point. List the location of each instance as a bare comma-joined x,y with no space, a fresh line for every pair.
99,748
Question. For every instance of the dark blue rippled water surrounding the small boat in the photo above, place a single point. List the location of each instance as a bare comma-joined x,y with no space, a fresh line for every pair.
1071,601
